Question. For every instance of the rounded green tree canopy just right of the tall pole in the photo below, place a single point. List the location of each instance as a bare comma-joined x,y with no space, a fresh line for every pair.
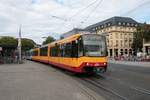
27,44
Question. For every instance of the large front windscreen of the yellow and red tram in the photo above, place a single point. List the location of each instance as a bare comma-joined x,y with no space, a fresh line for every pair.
94,45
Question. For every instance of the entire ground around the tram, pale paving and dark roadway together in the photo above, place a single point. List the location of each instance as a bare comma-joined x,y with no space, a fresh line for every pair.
37,81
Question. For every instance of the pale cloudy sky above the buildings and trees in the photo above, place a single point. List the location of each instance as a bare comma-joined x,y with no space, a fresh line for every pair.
42,18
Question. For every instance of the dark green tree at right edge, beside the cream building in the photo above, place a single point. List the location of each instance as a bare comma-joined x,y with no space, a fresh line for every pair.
143,32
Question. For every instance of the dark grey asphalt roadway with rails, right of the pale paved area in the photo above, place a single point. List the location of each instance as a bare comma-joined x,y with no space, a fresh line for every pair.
121,82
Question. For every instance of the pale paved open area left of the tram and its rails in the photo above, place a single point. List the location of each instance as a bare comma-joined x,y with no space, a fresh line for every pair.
37,81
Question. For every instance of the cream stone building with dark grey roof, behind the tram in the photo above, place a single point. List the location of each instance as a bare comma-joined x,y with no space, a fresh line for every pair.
119,34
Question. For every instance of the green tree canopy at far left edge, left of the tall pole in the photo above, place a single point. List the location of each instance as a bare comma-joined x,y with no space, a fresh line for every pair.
8,41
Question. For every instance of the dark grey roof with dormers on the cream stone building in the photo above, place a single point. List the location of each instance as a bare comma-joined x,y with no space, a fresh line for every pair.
122,21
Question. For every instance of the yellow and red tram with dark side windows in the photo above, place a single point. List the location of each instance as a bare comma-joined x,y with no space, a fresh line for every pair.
79,53
